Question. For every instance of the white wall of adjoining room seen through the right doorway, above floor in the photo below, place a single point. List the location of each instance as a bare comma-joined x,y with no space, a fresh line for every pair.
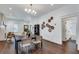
69,28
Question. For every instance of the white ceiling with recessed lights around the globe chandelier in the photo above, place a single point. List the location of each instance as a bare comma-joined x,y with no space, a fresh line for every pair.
18,9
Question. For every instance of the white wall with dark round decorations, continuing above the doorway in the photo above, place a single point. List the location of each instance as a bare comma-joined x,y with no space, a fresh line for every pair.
57,35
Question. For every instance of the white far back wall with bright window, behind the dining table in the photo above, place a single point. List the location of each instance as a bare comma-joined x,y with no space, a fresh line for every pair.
11,22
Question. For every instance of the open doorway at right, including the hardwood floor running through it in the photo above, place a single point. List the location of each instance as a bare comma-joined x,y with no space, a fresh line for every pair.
69,33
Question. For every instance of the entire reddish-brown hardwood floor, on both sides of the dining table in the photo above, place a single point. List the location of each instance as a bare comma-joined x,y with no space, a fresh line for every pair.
68,47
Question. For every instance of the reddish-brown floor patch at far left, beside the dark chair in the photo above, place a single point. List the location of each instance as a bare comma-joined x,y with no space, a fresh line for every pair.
7,48
